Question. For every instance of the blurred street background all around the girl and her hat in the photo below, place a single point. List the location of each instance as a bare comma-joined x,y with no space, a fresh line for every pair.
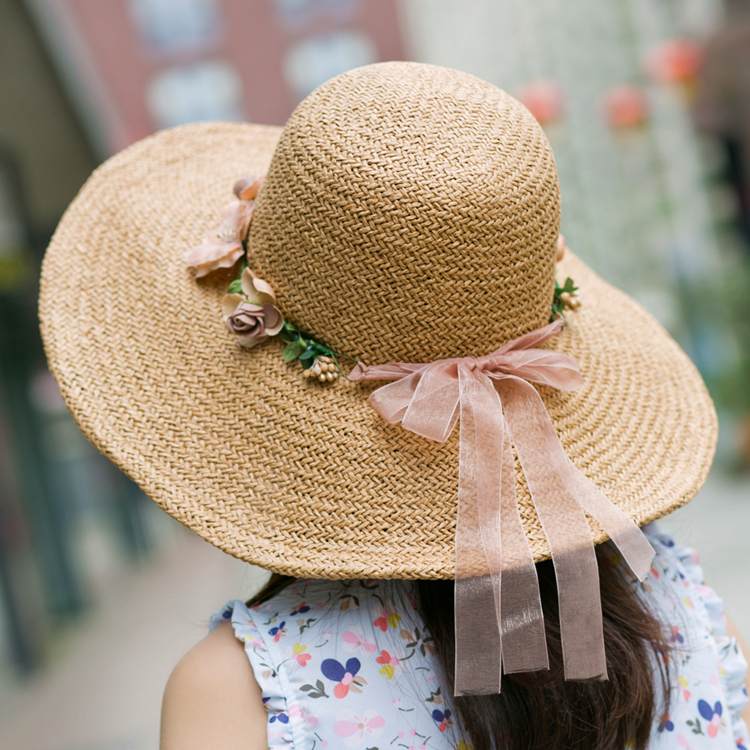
647,106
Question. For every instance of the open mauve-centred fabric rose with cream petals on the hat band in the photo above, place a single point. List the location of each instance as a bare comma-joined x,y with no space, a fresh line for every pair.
252,316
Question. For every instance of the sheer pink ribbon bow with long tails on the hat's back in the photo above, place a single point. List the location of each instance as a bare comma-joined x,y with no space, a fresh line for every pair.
499,619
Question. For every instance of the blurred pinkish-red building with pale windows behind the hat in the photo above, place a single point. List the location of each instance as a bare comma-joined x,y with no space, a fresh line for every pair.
135,66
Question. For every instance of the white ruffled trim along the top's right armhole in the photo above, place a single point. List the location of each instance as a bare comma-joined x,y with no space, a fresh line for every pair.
733,665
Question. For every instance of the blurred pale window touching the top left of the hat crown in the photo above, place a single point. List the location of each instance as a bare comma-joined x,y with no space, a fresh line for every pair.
314,60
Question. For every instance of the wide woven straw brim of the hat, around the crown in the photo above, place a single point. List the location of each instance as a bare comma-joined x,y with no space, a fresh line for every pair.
286,473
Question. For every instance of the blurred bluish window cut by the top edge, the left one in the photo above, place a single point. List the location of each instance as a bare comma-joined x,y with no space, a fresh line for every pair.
176,25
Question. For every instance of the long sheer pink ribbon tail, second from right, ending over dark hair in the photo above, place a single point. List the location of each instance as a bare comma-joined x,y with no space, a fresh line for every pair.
566,529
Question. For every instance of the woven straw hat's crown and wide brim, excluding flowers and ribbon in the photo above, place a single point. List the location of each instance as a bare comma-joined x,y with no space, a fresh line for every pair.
409,213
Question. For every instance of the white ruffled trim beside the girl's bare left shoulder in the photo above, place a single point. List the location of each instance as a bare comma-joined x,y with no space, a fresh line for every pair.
266,672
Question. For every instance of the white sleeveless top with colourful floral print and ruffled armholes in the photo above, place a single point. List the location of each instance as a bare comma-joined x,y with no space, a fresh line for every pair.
349,664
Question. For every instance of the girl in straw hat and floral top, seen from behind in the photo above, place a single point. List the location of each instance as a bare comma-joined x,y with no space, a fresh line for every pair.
385,381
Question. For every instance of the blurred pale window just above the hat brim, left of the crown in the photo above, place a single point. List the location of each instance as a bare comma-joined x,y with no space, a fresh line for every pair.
209,90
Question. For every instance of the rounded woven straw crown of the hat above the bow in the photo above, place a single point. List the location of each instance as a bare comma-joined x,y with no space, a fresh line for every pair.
410,213
